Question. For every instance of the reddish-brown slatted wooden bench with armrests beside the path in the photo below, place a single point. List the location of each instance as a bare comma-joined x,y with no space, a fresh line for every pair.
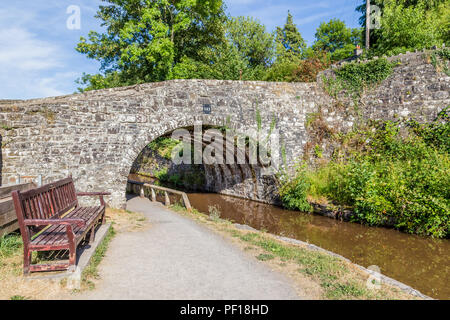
51,219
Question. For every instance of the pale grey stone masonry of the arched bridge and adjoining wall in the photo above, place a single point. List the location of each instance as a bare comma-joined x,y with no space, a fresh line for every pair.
96,136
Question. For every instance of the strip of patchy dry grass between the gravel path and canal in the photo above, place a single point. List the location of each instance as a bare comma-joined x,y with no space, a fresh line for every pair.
336,278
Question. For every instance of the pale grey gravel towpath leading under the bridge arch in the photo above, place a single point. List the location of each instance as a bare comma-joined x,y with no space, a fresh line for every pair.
176,258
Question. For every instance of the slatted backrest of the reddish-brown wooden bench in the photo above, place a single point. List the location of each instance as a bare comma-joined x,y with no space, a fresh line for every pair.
47,202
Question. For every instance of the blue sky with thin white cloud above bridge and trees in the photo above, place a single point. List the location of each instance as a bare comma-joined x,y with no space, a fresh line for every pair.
37,48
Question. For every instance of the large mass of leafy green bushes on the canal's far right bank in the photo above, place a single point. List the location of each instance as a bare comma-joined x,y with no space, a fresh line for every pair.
395,178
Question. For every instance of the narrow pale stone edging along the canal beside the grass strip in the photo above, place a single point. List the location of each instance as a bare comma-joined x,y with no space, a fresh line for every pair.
384,279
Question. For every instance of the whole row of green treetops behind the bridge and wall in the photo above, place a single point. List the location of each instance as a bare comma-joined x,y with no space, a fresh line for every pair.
157,40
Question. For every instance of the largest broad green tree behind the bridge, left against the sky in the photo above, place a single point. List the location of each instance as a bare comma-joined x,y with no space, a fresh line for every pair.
145,39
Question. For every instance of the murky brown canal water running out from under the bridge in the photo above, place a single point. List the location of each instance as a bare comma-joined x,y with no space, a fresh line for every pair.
422,263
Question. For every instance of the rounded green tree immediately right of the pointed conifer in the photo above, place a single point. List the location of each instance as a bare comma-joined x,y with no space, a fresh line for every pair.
336,39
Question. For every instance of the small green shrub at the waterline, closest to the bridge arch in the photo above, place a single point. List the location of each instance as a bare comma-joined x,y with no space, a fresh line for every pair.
293,191
